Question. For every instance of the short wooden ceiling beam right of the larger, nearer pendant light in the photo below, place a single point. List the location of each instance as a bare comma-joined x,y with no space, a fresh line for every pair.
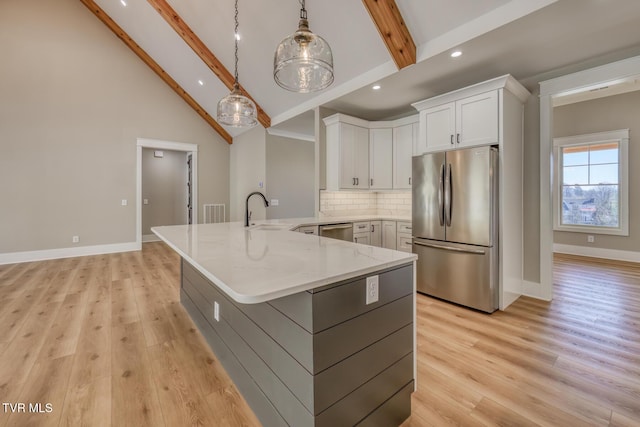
387,18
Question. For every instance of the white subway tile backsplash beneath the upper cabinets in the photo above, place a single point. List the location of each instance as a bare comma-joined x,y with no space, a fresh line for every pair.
337,203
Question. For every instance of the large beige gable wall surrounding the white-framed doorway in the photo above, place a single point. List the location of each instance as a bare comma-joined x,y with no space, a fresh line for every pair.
73,101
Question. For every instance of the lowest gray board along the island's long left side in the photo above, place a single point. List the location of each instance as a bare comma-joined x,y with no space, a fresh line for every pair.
259,403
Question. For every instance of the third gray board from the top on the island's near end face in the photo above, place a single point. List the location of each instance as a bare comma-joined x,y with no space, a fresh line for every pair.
345,377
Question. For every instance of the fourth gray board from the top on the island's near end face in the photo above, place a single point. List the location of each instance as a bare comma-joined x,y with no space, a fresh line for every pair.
360,404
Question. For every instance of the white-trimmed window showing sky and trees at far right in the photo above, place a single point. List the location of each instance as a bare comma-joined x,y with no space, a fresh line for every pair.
591,183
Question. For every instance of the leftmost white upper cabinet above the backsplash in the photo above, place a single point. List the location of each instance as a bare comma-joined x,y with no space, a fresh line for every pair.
347,147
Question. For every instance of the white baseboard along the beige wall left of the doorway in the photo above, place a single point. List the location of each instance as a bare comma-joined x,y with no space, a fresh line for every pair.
28,256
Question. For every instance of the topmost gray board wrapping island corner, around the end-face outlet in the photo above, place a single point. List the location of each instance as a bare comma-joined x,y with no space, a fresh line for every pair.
322,309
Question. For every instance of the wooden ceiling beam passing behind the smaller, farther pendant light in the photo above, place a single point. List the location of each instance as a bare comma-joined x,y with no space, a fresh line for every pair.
173,19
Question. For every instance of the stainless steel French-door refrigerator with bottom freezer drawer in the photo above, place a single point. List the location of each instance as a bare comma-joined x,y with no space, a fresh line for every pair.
455,226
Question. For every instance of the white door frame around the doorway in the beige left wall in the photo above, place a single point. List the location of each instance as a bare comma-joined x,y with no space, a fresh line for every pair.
163,145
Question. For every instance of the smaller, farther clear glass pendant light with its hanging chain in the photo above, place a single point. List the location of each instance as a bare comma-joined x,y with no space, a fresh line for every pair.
235,109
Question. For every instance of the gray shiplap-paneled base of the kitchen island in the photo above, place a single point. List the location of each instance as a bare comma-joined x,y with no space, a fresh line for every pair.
321,357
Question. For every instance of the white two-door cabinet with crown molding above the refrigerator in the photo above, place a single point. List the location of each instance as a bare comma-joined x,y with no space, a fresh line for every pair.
467,117
